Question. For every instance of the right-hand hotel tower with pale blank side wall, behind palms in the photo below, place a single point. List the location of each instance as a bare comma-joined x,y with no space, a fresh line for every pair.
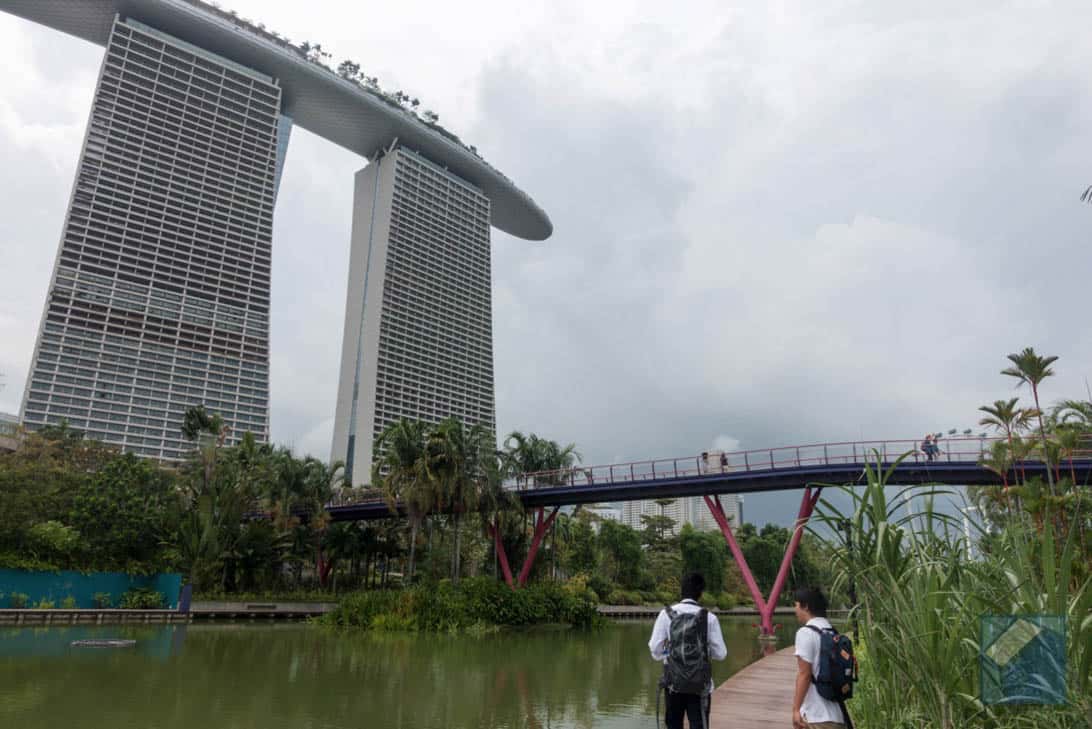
419,318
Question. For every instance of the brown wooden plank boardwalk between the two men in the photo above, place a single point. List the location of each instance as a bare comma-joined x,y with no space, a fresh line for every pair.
761,697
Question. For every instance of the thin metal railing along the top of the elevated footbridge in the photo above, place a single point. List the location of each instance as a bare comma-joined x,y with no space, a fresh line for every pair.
951,450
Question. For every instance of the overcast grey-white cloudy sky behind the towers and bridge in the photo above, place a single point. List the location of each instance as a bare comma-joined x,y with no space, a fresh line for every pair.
775,222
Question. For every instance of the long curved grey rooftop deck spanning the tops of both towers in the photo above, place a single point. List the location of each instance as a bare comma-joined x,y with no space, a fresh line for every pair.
315,98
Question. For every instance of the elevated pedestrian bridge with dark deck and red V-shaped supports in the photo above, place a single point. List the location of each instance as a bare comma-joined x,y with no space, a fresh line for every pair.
959,462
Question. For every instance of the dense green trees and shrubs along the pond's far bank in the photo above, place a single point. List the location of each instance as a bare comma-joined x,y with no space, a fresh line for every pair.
251,519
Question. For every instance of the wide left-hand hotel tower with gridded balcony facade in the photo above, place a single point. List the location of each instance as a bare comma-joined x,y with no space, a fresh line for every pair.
160,297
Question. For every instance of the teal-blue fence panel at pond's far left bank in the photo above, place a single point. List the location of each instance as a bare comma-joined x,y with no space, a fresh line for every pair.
57,587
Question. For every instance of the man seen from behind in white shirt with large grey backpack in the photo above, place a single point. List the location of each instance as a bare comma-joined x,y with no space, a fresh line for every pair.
685,638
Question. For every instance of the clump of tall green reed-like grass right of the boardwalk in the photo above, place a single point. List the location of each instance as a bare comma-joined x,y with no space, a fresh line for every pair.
920,604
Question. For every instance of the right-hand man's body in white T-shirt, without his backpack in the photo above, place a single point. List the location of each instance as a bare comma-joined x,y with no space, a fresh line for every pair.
811,711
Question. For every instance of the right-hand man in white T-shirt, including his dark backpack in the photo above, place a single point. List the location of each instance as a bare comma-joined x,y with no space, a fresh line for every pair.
826,667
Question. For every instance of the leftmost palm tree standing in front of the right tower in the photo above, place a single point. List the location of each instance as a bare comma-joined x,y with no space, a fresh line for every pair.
400,472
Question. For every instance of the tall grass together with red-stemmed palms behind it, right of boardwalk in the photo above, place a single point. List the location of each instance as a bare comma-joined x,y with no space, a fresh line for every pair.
923,583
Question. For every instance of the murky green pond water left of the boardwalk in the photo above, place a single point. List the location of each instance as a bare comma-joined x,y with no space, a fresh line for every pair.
242,676
